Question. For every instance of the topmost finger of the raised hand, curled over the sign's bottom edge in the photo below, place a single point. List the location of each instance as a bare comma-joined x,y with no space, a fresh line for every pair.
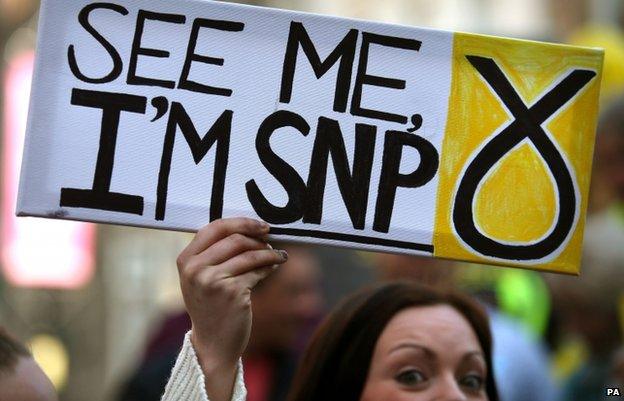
222,228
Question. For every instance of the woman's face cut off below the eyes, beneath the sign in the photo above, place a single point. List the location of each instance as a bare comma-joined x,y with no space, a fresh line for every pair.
427,353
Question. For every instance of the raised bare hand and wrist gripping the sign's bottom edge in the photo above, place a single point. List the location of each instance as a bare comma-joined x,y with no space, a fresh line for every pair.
218,270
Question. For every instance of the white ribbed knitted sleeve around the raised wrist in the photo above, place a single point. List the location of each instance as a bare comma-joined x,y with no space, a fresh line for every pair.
187,379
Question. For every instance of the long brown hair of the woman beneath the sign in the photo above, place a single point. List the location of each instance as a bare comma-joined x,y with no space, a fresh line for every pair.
336,363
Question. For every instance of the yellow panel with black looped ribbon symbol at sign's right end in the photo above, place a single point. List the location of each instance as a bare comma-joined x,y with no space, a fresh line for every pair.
516,158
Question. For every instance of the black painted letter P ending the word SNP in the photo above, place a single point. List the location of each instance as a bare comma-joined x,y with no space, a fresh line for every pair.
391,178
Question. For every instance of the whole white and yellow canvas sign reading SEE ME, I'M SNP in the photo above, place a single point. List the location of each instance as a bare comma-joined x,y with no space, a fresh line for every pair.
170,114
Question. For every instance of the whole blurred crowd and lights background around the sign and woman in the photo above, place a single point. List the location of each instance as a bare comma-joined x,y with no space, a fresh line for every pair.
100,306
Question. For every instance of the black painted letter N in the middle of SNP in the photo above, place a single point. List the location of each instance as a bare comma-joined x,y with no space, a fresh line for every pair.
354,187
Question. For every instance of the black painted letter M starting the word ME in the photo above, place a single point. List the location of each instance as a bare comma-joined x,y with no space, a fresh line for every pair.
345,52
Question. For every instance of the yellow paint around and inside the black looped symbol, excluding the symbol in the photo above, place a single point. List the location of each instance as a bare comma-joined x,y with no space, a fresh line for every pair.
517,200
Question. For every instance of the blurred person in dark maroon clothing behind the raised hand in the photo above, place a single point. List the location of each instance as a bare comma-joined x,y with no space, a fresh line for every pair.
287,306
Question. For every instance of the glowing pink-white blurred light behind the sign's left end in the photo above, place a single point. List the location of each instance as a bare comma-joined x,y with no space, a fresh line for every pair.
35,253
